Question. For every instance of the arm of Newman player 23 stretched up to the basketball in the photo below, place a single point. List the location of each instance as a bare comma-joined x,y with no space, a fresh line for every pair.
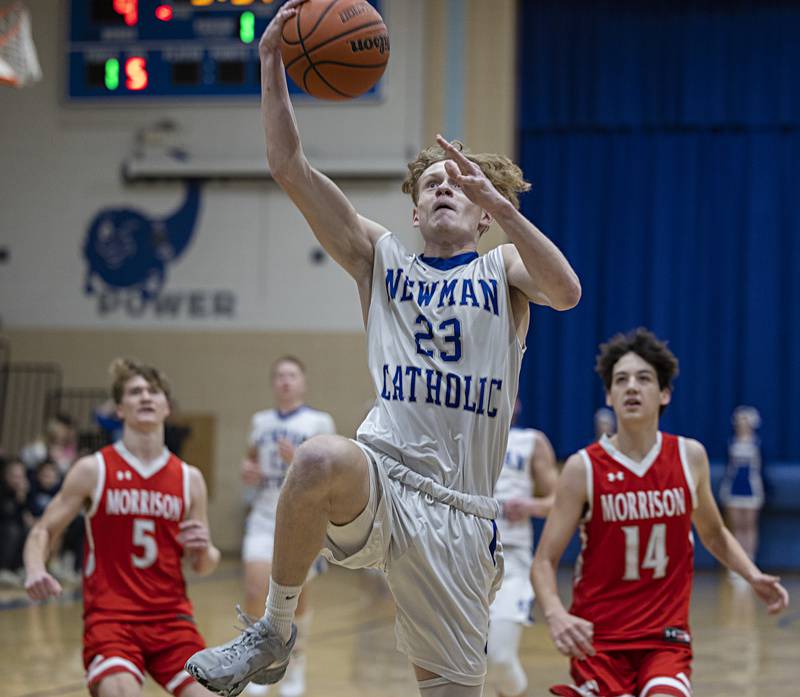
345,235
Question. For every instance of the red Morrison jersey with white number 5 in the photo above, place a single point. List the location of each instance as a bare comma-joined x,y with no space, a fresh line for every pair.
132,568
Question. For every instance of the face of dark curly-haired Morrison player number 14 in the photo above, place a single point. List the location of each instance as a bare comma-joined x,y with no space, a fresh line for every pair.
635,395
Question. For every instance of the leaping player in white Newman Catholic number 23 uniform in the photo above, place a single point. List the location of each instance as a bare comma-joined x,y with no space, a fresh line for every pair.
445,333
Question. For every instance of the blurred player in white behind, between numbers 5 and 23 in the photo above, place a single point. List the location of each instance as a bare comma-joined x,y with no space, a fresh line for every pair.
274,436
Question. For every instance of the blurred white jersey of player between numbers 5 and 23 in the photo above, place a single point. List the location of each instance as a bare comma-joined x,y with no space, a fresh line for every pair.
271,426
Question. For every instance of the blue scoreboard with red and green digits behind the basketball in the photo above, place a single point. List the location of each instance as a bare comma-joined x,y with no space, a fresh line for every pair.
130,50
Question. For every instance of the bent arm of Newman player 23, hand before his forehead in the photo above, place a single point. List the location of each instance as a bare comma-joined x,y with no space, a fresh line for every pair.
534,265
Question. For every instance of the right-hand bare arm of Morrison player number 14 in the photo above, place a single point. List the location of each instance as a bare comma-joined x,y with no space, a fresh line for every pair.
721,542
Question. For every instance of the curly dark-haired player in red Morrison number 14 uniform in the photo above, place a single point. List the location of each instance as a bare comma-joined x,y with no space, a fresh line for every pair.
635,496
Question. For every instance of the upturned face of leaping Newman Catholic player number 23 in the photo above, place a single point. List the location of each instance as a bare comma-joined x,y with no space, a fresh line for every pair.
443,212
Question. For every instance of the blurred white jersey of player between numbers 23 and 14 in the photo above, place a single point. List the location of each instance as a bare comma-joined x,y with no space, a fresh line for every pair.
515,482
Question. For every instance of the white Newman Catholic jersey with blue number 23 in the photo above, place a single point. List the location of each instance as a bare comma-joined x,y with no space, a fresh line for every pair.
444,357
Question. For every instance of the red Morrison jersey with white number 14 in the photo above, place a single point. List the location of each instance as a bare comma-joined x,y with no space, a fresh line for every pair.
633,579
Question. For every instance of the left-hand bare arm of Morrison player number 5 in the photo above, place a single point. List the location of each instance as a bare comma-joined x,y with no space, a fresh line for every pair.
79,484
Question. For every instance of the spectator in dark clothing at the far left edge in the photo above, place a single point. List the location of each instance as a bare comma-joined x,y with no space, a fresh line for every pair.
15,520
